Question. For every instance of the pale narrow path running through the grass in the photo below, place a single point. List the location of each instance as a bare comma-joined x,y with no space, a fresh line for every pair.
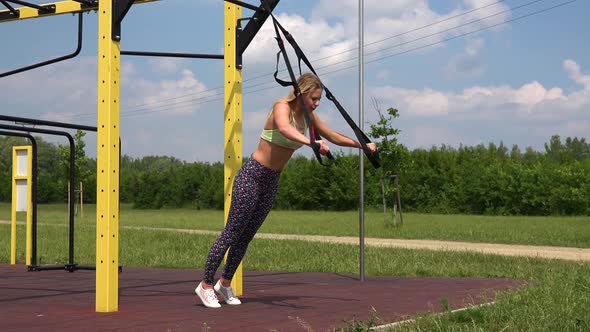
566,253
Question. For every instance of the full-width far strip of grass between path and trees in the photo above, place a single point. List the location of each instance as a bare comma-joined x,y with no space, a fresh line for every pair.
552,231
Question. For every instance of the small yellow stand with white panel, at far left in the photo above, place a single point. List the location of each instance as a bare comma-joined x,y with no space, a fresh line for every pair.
22,170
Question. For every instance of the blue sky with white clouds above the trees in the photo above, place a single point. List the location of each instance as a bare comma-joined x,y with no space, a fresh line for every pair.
459,71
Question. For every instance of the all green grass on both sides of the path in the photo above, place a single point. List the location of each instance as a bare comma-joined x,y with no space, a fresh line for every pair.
556,299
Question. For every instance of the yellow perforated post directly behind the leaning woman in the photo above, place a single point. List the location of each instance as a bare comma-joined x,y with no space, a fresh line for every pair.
232,115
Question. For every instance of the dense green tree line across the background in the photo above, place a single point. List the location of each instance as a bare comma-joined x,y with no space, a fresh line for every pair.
484,179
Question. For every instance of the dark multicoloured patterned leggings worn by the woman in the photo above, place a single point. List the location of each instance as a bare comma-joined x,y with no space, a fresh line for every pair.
253,195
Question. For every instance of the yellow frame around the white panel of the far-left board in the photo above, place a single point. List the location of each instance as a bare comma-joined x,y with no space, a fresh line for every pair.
28,178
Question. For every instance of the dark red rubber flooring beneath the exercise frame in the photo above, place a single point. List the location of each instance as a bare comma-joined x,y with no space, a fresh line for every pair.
163,300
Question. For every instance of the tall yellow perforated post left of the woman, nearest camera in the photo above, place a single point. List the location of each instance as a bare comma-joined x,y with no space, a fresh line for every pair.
107,155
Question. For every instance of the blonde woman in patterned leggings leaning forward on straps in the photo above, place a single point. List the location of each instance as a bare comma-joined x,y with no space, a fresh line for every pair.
255,185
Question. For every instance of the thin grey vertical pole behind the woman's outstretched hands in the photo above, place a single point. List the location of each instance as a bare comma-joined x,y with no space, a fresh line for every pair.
361,159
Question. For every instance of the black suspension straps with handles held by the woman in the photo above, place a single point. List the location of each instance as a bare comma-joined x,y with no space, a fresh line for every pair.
361,137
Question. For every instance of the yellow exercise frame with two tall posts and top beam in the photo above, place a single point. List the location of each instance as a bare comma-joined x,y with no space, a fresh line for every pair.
108,137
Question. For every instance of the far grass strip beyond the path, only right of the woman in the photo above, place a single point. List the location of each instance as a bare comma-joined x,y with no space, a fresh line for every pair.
553,231
